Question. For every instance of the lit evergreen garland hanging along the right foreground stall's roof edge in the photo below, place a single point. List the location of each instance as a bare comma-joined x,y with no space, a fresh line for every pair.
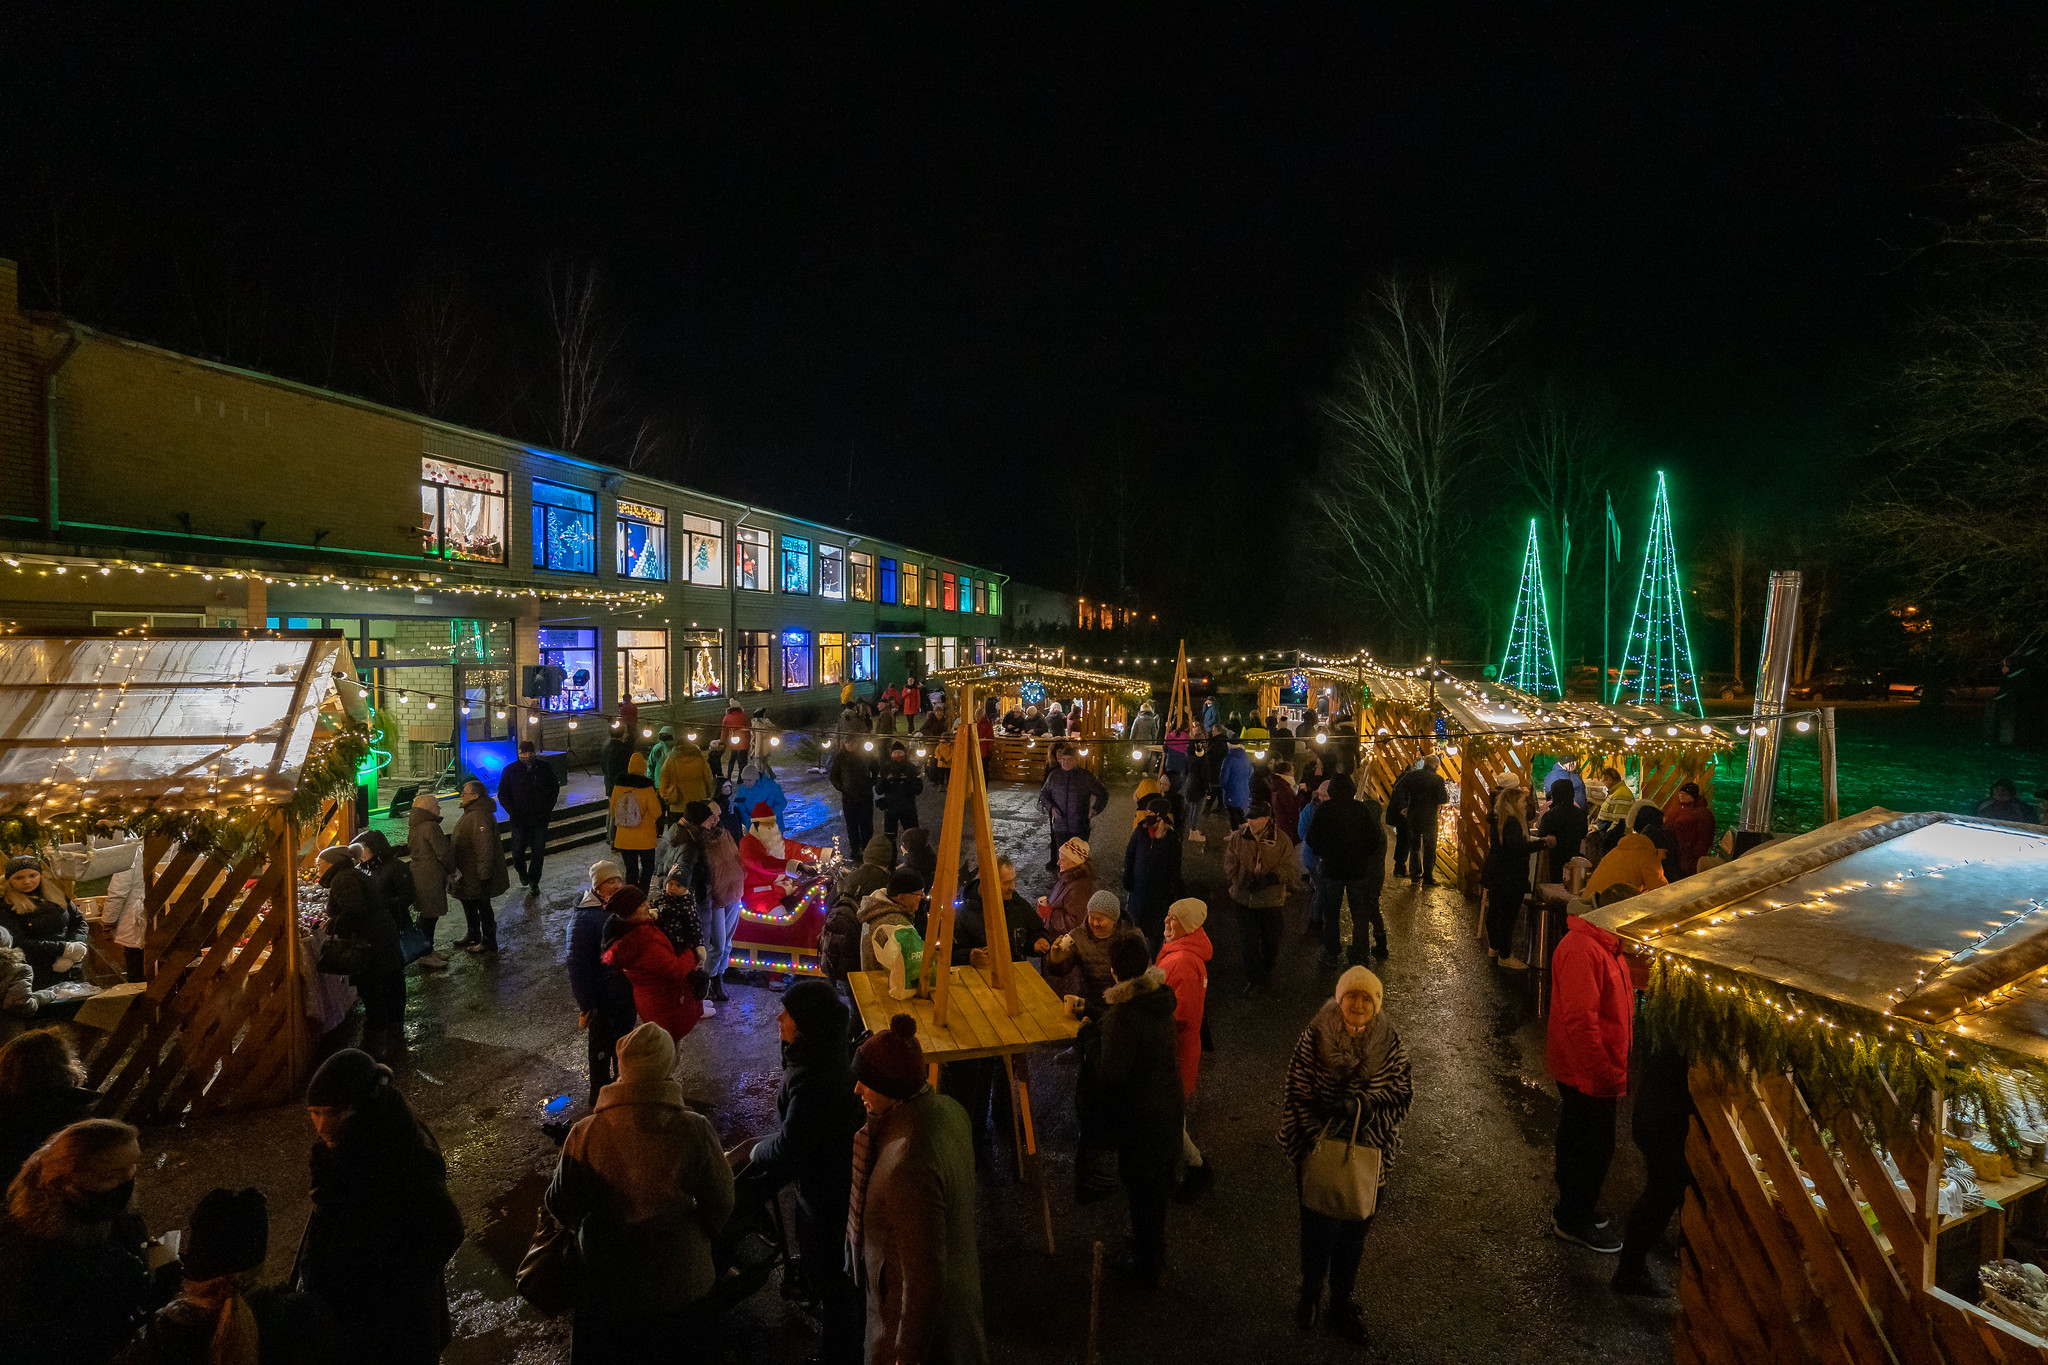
1840,1055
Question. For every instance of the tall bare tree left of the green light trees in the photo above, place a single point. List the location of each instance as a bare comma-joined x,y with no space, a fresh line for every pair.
1410,419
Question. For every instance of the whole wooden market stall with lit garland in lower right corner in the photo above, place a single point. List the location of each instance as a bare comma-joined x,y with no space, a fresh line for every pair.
1867,1018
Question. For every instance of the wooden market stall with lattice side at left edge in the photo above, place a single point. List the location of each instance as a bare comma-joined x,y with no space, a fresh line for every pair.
222,752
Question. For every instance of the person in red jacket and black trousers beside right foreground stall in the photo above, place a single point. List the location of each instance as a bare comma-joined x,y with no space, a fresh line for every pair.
1592,1024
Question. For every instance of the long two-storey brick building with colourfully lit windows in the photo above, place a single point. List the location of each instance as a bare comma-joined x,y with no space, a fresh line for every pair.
151,490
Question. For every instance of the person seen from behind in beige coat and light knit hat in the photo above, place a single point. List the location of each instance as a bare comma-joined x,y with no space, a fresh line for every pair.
646,1190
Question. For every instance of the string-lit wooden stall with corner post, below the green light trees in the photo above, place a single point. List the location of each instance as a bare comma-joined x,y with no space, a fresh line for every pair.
1488,734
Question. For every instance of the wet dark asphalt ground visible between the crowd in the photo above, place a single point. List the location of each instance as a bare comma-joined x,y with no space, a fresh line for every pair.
1459,1262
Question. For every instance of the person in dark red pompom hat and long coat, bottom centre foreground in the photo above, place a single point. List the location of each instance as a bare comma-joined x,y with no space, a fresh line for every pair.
910,1223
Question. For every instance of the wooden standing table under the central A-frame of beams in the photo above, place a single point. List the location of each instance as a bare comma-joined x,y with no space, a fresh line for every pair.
980,1028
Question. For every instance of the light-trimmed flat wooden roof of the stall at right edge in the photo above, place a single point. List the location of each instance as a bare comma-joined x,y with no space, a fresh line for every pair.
1930,918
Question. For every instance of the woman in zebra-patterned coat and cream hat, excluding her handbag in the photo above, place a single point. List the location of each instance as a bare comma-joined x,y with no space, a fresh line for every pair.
1349,1069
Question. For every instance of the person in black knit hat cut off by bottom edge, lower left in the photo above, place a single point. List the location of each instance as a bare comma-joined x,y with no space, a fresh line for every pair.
224,1315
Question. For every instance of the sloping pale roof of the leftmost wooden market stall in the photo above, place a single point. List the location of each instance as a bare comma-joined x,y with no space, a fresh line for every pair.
177,723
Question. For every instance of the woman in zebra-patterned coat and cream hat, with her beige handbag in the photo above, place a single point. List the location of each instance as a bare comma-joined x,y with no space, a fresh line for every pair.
1347,1096
